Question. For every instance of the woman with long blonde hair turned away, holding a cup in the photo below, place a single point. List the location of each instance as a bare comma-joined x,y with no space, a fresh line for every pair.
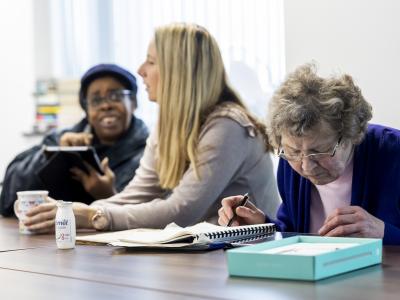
206,145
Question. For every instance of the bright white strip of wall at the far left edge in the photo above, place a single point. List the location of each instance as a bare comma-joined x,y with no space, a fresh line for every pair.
16,77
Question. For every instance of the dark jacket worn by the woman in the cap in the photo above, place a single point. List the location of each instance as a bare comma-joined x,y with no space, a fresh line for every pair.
124,157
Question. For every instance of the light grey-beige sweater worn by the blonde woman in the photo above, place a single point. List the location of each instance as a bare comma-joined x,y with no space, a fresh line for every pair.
232,161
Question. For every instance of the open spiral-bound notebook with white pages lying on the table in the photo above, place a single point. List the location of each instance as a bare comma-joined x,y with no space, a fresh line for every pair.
200,236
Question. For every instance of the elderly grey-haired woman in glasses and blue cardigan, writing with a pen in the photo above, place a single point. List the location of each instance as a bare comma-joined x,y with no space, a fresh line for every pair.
338,175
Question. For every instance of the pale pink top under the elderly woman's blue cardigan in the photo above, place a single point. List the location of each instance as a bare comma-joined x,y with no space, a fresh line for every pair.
326,198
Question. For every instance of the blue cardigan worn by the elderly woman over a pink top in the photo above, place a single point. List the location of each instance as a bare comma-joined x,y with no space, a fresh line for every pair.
375,187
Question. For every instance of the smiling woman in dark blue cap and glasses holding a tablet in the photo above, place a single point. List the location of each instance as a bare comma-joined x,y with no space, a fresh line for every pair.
108,96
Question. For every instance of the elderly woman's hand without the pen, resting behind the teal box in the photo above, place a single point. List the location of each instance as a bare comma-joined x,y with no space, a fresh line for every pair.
352,221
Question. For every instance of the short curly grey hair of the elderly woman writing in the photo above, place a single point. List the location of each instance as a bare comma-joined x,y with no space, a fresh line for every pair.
305,100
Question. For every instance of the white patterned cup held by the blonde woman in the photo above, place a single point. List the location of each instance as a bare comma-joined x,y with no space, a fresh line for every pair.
26,201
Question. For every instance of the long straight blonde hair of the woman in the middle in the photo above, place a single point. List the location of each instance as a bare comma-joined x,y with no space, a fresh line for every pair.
192,82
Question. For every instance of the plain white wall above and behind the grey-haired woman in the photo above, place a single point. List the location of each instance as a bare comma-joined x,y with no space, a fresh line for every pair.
358,37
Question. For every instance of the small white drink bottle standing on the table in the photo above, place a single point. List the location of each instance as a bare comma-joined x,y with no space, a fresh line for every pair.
65,225
